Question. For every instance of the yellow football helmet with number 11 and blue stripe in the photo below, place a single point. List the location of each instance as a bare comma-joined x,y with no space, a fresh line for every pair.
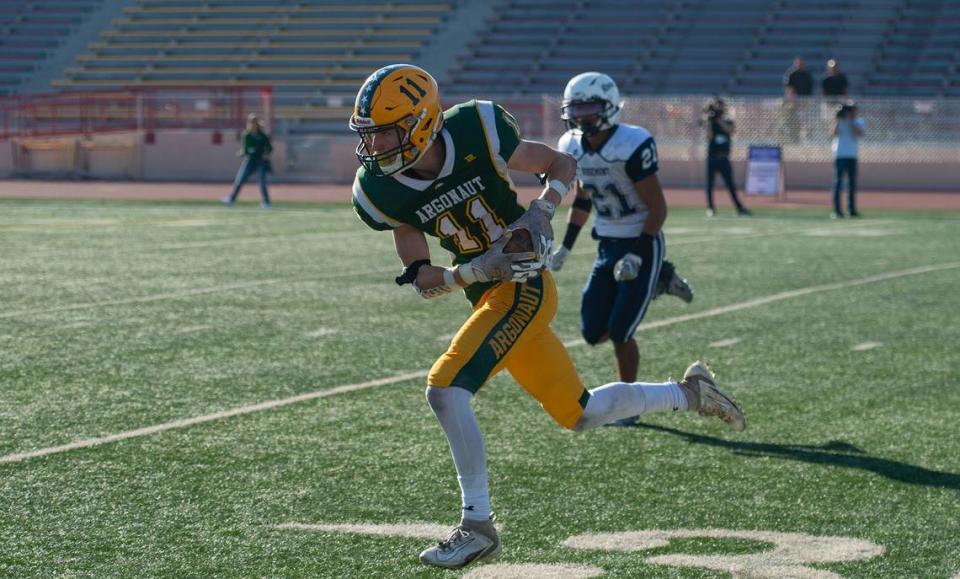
401,98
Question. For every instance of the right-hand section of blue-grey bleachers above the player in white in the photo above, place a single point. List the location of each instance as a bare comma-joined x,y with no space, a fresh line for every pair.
739,47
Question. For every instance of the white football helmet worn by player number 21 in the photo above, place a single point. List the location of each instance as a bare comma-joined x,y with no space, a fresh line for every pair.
591,103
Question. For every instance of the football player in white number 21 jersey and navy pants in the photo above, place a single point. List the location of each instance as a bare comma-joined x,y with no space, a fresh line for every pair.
617,175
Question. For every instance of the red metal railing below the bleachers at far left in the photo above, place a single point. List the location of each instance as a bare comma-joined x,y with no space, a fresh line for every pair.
142,109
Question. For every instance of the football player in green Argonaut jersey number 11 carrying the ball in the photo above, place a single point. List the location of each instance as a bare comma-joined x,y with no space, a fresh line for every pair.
446,174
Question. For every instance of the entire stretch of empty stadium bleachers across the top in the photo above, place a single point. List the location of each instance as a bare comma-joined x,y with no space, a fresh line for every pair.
315,53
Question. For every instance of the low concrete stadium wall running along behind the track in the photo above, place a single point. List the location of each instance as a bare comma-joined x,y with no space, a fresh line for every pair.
192,156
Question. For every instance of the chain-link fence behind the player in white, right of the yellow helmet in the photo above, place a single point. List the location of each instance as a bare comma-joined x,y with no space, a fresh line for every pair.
897,130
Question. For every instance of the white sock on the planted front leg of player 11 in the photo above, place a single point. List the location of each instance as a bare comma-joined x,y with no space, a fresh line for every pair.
452,409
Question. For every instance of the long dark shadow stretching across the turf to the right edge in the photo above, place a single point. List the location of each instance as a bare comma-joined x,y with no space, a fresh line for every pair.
834,453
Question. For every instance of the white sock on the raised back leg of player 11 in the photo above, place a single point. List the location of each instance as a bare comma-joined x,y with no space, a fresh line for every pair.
622,400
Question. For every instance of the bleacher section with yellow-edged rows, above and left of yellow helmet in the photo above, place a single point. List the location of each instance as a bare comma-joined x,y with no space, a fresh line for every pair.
311,45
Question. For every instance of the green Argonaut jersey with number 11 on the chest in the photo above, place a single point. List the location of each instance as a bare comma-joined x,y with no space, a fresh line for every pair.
470,203
